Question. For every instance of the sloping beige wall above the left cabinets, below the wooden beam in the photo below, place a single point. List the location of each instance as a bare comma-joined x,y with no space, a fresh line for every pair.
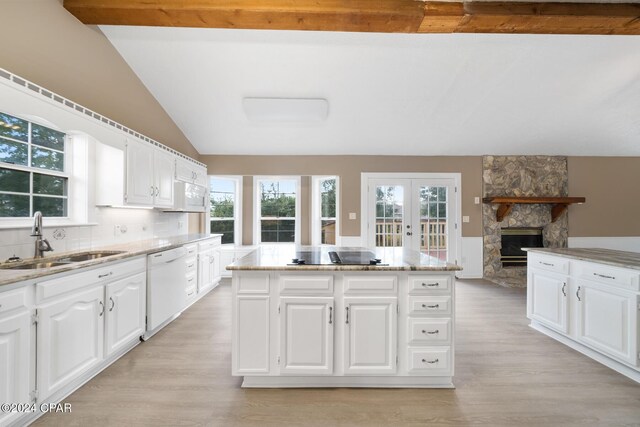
45,44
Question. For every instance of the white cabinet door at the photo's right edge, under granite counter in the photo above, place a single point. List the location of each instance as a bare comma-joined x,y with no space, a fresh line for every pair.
608,320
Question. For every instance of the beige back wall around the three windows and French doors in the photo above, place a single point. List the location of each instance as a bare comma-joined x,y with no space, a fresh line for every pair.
349,168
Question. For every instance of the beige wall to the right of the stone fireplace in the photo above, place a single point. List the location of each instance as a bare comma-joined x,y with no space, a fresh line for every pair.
611,186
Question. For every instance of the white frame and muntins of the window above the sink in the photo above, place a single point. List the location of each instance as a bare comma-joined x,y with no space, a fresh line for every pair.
66,173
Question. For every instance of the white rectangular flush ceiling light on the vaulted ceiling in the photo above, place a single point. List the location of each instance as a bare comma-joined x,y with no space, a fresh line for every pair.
291,110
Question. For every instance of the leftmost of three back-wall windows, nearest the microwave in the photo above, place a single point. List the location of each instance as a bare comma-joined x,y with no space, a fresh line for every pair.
225,208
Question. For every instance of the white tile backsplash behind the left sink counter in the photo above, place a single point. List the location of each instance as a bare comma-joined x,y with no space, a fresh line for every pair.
113,226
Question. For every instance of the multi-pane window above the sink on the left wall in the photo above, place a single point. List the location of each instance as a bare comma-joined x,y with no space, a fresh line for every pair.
32,169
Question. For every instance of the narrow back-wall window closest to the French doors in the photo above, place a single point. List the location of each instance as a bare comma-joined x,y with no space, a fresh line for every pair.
325,210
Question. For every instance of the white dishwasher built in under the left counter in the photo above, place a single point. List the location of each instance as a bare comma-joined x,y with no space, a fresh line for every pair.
167,280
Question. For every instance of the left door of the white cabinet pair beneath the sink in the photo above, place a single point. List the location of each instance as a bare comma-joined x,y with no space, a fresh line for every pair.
70,339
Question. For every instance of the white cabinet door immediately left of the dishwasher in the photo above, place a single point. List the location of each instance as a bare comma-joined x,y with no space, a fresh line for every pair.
125,316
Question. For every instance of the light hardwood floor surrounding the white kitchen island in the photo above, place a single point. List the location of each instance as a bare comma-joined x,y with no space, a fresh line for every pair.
506,375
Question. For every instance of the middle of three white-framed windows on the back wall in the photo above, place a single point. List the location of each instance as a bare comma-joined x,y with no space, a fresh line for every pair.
277,210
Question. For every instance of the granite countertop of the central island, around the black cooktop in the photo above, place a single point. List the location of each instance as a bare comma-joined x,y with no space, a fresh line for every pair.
277,257
